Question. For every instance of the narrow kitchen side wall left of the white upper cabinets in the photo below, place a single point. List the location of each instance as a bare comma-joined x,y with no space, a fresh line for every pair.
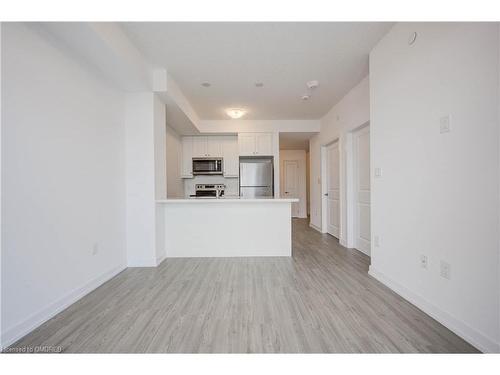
175,186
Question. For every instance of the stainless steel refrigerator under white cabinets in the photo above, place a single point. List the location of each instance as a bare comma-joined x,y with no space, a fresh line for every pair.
256,177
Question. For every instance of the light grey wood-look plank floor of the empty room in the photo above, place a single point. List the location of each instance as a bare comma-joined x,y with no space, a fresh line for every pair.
321,300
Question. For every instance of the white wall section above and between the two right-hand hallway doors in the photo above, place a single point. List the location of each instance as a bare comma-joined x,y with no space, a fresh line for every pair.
349,114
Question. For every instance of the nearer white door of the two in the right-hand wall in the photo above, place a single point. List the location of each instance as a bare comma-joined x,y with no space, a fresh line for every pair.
361,142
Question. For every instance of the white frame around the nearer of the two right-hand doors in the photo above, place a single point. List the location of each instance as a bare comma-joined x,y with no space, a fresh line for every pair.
350,186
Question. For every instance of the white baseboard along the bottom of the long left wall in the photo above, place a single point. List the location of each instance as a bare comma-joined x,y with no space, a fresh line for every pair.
11,335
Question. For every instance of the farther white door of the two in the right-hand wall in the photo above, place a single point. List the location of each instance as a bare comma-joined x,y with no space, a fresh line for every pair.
333,189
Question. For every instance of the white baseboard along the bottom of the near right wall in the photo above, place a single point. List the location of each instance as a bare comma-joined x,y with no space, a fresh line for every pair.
469,334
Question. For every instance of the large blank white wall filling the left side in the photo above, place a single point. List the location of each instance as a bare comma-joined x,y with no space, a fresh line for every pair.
63,174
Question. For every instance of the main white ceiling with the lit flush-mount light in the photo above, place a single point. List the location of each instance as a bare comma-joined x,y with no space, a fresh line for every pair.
284,56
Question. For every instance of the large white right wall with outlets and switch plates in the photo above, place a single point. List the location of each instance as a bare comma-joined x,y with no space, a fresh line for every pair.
438,194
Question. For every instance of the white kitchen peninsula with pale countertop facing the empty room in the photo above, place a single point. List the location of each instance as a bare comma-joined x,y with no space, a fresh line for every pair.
226,227
